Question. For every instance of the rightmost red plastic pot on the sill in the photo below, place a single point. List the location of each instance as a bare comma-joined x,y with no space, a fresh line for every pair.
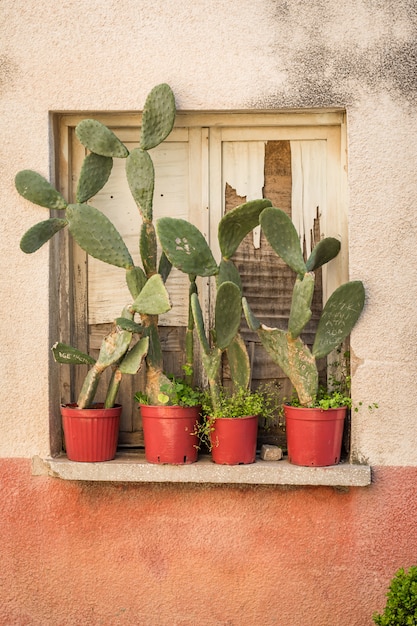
314,436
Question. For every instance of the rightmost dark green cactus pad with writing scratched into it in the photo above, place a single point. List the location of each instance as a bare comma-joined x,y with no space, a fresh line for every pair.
340,314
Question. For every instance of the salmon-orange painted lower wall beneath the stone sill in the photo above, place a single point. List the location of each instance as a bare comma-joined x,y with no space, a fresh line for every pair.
178,555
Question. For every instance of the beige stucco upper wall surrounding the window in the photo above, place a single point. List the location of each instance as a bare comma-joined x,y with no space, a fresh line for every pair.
240,54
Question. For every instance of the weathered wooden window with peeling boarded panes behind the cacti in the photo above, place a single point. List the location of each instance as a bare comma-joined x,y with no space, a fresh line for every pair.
210,163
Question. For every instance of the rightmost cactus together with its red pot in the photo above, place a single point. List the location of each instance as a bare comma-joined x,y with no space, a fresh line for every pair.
314,427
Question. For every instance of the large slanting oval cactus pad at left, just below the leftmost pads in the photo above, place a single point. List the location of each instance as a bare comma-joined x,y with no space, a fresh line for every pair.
95,234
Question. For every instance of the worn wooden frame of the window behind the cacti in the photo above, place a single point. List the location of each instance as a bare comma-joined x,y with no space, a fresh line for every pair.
207,131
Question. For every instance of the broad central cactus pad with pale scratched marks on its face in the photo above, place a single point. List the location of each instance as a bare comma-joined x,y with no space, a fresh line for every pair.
185,247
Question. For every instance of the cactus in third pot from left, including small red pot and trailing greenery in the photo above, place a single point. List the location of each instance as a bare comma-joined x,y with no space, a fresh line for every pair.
232,441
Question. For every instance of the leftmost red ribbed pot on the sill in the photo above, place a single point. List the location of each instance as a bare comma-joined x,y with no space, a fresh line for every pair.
91,434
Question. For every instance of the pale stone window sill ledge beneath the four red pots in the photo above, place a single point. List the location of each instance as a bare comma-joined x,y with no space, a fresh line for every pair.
132,467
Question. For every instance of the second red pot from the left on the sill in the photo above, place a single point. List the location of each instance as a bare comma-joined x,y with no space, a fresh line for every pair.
170,433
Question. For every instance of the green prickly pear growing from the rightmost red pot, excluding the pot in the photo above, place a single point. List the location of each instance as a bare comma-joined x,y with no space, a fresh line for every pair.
339,315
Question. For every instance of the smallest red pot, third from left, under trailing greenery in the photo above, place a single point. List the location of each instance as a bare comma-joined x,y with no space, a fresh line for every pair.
233,440
